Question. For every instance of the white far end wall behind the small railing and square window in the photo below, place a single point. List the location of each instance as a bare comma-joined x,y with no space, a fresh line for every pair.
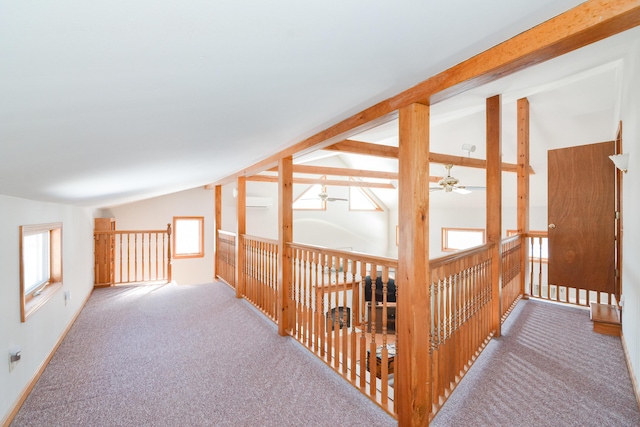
156,213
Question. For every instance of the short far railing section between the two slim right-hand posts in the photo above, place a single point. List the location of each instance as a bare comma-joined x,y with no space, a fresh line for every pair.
511,252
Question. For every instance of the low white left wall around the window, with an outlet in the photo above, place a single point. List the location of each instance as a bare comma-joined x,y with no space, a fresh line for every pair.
43,329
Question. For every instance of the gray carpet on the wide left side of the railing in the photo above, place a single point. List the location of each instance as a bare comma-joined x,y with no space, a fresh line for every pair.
187,356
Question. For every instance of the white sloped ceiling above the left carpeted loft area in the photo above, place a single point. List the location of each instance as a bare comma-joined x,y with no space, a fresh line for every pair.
103,103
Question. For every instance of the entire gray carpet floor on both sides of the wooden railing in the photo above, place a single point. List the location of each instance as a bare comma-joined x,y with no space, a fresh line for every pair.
196,355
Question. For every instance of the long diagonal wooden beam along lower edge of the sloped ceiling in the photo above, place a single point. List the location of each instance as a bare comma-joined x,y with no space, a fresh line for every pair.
586,23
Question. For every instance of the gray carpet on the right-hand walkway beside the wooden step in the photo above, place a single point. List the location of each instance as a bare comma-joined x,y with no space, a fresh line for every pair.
548,369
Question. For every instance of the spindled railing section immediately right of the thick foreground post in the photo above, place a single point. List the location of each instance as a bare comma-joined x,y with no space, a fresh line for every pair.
460,317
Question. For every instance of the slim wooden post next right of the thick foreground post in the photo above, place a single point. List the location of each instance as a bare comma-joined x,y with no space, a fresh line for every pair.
494,204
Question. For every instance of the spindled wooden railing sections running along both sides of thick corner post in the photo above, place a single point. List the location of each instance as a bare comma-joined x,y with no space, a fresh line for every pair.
342,308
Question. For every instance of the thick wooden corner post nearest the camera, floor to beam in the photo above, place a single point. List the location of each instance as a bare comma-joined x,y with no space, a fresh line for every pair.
413,381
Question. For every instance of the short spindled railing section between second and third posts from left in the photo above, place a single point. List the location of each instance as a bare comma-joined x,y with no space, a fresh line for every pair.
261,274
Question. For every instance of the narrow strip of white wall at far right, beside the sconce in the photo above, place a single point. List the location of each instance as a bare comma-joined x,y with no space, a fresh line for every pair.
630,116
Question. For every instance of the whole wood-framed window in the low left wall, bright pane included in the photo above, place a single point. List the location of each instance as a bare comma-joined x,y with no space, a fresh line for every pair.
40,265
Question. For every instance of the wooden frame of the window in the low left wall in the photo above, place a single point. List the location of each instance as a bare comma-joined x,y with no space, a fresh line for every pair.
36,297
